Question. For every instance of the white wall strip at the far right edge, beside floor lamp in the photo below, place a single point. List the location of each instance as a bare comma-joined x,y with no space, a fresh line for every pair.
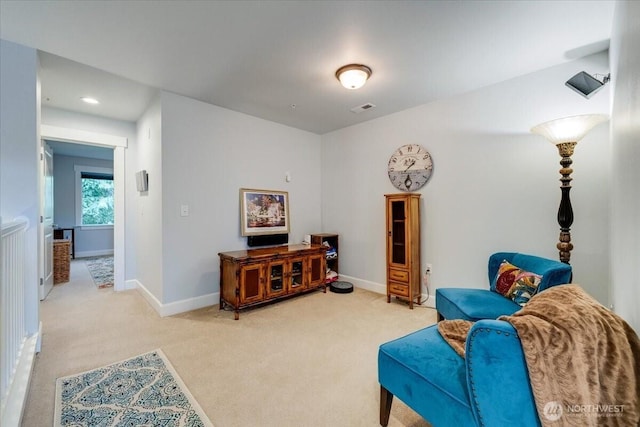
625,135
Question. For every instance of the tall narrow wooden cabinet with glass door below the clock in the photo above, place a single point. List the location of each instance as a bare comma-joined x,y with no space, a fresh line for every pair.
403,247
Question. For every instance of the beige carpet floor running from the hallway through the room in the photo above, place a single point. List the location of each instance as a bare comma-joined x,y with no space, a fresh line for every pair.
308,361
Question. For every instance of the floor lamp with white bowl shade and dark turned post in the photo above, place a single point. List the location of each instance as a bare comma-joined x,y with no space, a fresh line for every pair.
565,134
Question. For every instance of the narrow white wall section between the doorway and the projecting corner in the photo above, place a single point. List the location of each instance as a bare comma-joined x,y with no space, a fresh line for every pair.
147,223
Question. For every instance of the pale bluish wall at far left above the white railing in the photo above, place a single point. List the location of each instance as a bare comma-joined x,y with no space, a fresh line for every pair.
19,153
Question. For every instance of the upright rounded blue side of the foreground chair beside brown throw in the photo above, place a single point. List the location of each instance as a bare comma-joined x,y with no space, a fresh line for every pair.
497,377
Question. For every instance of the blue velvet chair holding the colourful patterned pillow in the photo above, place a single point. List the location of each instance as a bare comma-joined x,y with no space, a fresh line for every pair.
476,304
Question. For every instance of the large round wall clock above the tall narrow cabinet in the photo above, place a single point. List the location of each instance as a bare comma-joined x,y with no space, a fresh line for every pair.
410,167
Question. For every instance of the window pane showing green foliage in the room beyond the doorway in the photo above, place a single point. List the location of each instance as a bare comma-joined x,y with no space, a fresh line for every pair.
97,201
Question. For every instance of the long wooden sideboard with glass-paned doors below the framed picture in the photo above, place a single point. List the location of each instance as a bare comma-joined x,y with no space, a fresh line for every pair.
255,276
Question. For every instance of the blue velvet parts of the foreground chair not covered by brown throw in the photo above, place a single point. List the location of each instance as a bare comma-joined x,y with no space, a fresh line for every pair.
489,387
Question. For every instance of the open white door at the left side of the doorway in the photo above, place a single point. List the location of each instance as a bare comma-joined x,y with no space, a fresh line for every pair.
46,282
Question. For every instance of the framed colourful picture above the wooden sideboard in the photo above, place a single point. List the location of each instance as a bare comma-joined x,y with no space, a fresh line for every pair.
264,212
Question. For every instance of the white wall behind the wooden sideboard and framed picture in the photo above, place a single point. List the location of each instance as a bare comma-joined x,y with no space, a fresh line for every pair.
208,154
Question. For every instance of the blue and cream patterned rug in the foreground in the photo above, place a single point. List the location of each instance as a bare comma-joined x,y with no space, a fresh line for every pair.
144,390
